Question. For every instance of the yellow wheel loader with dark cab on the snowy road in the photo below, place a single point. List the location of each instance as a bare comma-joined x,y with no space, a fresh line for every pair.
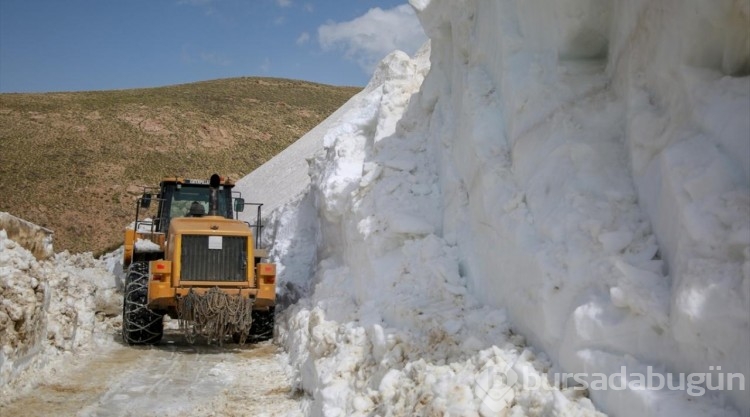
189,257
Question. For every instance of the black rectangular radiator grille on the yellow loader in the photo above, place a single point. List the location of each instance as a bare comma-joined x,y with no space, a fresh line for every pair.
199,263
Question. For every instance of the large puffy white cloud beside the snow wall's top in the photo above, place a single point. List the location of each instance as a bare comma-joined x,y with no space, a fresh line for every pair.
370,37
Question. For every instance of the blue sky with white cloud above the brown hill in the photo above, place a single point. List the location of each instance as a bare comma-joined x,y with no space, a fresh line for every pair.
81,45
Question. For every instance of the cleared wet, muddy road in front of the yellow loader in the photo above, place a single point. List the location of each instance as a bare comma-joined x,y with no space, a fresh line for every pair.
171,379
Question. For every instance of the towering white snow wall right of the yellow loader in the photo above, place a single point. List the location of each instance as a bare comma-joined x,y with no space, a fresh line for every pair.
580,168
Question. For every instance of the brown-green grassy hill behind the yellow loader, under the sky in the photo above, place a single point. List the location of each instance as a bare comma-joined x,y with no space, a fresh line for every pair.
76,162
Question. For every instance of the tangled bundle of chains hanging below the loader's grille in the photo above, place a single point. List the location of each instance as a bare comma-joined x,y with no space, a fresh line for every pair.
214,315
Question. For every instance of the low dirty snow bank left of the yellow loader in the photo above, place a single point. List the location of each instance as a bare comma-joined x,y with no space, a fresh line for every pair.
49,309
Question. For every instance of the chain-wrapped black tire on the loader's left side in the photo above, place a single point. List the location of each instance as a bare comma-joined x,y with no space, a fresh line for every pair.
140,325
